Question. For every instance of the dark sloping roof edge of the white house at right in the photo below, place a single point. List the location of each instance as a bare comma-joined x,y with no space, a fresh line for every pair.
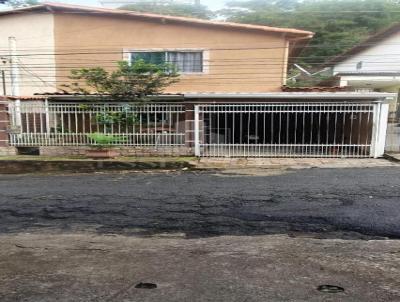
366,44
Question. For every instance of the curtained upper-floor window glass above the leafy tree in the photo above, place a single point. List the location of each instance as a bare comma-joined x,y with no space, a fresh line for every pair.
185,61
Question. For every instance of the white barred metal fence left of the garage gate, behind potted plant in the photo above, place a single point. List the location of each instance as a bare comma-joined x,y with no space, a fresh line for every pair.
70,124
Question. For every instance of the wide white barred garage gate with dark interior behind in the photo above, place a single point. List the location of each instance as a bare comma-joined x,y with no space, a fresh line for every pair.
291,130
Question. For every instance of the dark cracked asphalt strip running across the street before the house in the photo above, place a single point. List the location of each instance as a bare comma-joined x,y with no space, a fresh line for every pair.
325,203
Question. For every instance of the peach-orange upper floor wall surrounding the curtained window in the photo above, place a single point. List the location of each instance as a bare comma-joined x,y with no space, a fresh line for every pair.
218,60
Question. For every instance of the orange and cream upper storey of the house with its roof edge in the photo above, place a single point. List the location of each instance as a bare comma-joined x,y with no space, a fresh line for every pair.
211,56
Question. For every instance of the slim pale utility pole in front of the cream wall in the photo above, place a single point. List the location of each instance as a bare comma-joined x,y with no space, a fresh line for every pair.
15,80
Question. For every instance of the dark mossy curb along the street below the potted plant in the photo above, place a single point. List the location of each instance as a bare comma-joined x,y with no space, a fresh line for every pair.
71,166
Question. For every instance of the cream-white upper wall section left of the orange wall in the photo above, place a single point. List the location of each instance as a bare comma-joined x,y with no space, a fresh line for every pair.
34,34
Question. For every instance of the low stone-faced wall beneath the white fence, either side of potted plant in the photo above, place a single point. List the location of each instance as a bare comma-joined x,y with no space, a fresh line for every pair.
124,151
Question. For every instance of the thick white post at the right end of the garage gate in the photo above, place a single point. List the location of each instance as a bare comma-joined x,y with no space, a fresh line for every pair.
380,116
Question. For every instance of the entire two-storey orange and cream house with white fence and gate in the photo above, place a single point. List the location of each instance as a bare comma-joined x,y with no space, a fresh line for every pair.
229,102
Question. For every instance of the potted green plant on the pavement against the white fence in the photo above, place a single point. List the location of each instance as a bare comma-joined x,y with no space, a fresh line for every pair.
102,147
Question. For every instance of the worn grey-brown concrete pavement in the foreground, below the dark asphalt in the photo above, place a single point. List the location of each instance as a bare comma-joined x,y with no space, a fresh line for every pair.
89,267
